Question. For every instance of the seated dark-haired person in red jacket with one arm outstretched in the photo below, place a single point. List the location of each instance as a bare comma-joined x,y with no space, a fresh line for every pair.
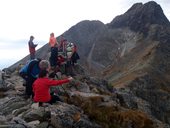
41,88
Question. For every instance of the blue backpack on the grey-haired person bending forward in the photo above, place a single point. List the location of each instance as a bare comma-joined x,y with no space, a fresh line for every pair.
25,71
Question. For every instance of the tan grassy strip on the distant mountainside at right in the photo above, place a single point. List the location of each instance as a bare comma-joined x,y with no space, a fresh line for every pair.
138,58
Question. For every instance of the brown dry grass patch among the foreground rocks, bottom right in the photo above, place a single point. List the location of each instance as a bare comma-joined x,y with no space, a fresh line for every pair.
112,116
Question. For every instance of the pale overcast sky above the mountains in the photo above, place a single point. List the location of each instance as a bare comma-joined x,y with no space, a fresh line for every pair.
22,18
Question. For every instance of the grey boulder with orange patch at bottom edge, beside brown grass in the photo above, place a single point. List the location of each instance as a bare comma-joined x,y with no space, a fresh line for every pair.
68,116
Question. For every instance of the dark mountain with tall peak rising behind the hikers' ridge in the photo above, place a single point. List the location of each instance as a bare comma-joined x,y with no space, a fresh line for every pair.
132,53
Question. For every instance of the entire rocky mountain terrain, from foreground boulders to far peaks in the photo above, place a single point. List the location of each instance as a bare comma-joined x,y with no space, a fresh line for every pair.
122,80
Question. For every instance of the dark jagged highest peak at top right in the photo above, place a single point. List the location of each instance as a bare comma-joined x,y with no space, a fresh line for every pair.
140,16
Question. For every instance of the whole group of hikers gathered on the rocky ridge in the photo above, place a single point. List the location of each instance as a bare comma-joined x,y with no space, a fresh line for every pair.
39,74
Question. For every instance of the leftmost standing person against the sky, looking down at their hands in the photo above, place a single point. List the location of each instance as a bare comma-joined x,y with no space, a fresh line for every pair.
32,47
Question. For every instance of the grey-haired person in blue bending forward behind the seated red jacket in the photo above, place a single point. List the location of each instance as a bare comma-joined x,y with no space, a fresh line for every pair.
30,73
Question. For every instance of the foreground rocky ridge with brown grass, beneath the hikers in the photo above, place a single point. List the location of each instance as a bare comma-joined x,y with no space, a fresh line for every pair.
88,103
